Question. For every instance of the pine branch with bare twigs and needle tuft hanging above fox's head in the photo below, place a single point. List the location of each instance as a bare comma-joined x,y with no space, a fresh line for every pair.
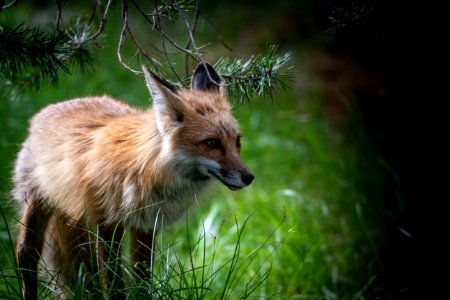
259,76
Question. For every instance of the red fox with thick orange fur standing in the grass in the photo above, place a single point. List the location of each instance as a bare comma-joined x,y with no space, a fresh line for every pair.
97,165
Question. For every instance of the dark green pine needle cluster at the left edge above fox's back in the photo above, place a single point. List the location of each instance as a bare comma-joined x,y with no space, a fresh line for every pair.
29,56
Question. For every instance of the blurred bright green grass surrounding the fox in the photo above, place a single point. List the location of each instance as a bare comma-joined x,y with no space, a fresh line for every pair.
307,228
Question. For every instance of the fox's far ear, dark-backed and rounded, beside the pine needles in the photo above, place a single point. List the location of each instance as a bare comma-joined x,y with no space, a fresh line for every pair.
205,78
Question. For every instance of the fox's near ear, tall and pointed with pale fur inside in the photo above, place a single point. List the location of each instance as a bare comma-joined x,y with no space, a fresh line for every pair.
168,105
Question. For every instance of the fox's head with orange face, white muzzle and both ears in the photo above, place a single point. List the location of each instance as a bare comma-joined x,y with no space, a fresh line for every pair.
198,129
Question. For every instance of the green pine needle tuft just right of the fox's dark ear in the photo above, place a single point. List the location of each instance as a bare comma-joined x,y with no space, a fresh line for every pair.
258,76
